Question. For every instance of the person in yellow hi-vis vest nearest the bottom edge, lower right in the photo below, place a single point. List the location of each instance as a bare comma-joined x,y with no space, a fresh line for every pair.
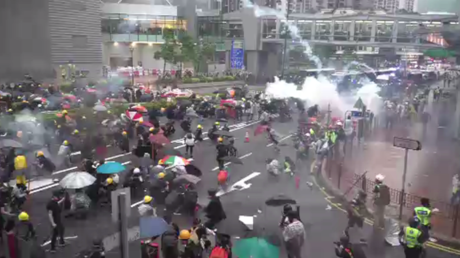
412,239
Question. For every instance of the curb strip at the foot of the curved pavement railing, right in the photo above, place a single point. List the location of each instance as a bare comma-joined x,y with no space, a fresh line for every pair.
446,243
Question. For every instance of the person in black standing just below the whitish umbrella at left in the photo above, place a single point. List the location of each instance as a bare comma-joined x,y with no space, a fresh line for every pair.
54,213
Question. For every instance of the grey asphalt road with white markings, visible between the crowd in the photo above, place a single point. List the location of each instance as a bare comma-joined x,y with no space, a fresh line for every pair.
324,223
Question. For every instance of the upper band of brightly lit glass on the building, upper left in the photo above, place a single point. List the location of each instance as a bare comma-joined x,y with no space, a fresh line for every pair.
126,28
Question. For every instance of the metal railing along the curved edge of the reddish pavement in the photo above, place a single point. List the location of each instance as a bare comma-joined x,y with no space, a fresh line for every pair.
445,222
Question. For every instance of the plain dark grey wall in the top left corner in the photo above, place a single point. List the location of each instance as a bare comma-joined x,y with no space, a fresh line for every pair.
24,44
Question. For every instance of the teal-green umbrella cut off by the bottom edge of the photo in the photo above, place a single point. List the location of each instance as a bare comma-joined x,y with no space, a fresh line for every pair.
255,248
